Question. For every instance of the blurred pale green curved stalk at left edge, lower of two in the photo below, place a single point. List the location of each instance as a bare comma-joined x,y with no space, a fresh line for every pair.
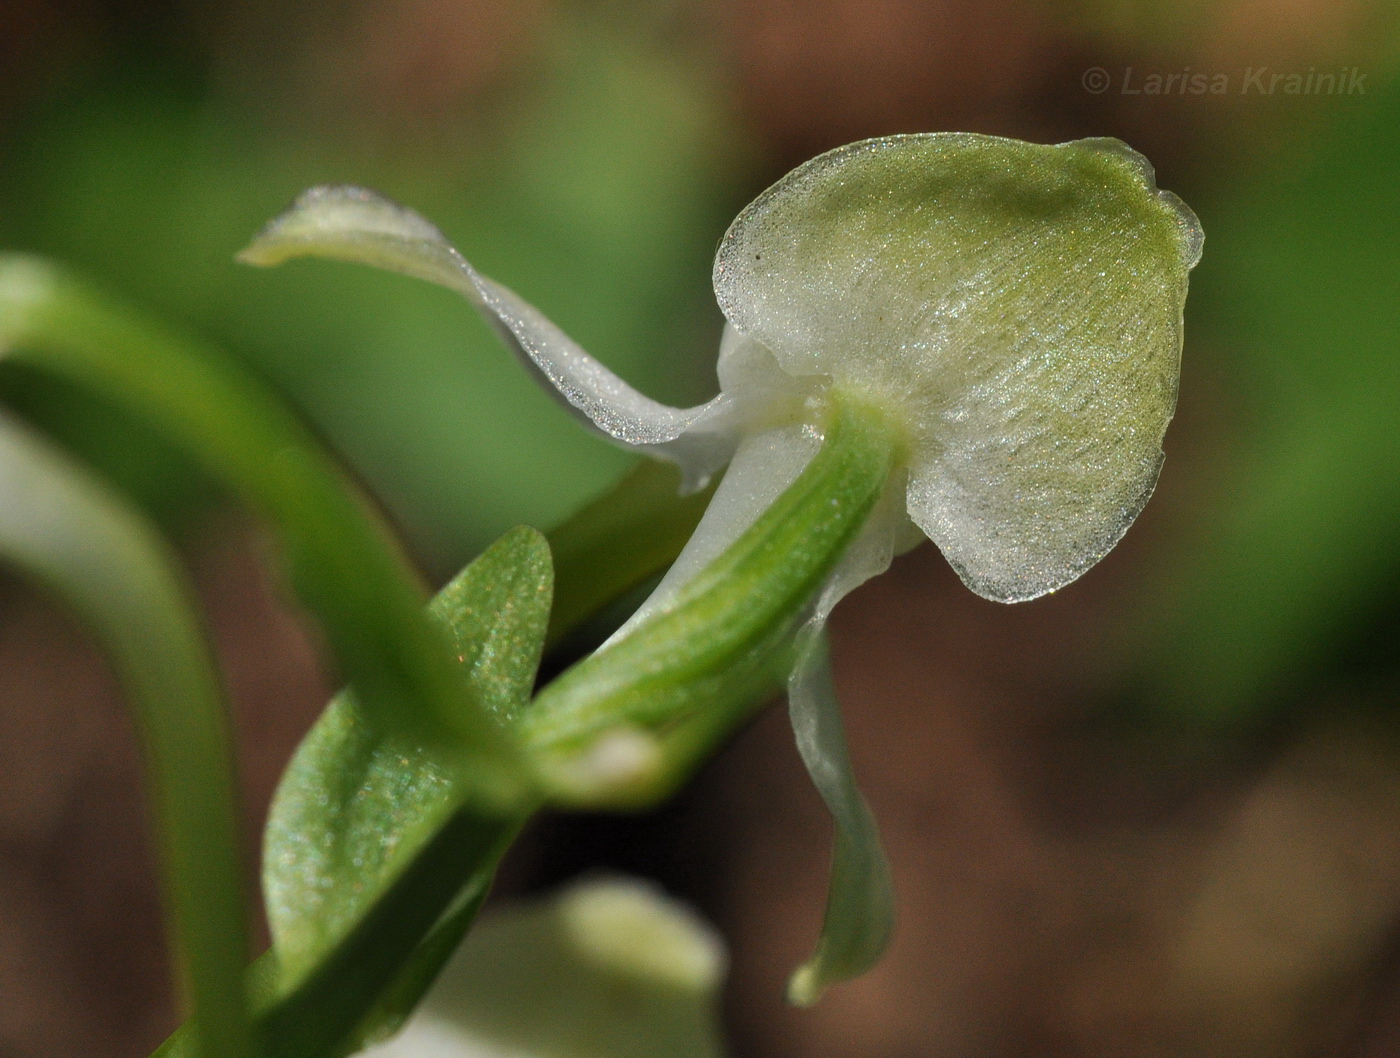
62,527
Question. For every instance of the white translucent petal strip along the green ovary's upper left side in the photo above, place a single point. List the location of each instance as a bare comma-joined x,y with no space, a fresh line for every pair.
765,465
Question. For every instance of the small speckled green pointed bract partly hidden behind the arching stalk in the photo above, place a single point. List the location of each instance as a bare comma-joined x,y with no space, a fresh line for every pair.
358,803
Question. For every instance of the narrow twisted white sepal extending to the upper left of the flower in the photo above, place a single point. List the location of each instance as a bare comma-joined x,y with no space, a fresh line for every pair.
360,226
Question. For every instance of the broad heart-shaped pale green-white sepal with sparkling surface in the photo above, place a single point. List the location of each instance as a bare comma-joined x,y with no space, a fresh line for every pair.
1018,306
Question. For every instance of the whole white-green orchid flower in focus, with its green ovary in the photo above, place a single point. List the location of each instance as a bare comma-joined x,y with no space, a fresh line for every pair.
955,337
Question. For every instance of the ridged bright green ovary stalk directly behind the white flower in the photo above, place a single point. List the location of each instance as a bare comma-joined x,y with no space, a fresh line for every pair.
692,671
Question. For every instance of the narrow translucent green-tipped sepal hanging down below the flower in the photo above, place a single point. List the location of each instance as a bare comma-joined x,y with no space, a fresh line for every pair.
860,905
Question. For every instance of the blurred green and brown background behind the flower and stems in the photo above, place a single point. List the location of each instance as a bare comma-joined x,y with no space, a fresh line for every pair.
1157,814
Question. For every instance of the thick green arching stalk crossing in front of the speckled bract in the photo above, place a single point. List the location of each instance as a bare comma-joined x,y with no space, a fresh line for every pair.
341,560
